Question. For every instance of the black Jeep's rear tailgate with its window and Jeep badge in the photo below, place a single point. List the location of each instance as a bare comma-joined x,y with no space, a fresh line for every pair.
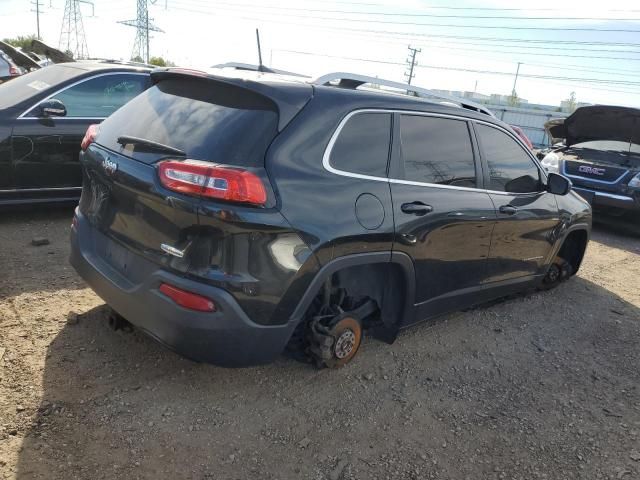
189,121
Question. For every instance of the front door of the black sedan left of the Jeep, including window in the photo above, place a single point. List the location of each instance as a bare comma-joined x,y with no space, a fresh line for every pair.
46,148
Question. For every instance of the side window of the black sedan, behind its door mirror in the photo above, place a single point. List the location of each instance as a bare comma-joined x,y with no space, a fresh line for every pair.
99,97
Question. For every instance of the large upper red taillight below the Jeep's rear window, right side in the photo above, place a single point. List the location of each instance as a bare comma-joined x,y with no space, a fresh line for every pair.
212,181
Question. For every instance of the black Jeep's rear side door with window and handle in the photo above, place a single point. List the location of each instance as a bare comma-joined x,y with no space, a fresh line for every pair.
443,218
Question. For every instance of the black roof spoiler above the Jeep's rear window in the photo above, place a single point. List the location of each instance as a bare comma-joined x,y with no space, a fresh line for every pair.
289,102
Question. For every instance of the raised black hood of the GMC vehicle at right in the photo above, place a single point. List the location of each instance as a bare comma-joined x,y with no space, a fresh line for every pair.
599,122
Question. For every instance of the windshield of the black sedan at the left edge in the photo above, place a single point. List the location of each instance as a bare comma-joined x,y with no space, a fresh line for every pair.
25,86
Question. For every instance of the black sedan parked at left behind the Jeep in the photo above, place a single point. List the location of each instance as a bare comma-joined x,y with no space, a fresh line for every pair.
43,118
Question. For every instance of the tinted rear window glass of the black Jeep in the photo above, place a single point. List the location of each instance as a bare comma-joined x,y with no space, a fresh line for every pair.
205,119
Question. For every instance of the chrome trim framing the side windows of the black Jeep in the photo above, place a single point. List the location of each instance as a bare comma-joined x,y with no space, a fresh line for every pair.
327,152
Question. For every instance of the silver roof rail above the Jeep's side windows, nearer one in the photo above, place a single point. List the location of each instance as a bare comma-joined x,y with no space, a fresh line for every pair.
354,80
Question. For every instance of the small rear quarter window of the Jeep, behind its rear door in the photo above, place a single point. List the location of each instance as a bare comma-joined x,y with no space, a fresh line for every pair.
363,145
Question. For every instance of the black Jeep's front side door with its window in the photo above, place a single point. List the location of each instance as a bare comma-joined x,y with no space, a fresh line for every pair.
527,215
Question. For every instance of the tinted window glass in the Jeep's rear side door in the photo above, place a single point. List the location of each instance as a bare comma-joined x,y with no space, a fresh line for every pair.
437,150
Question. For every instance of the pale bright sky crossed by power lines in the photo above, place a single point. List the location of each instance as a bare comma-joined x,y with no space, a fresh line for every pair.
459,42
